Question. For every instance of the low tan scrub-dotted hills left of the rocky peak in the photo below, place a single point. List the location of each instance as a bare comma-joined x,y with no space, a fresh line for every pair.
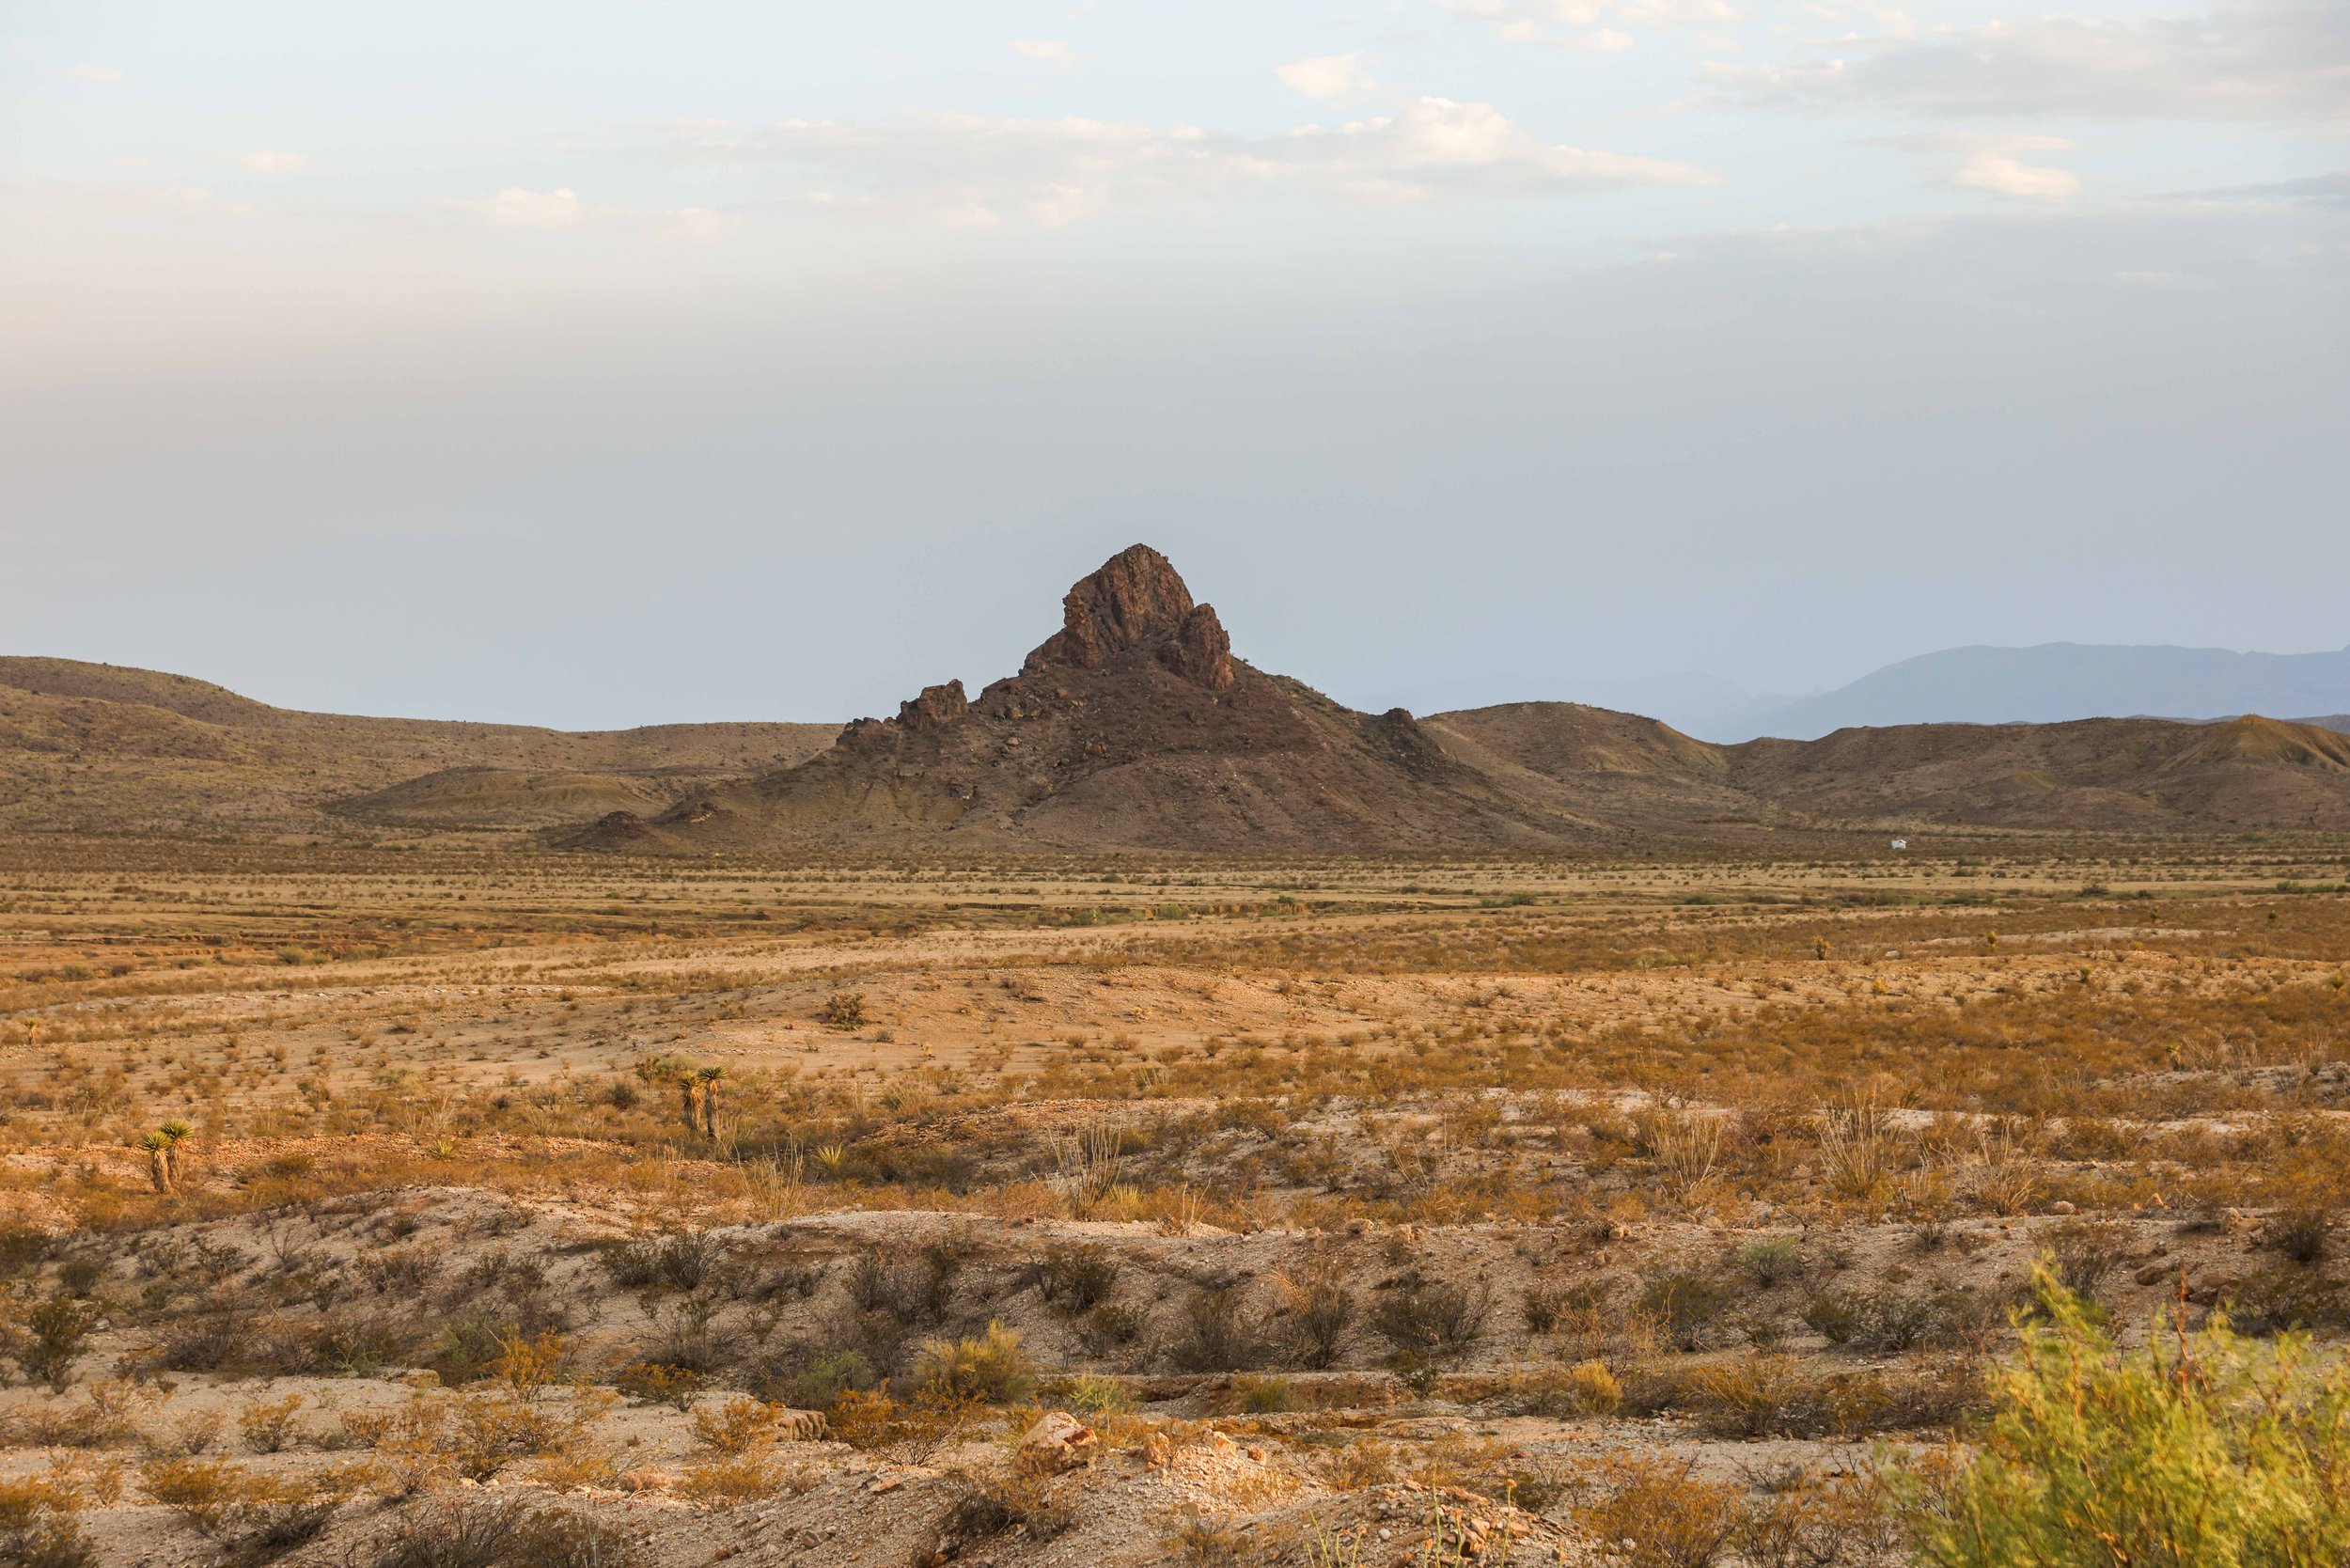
105,749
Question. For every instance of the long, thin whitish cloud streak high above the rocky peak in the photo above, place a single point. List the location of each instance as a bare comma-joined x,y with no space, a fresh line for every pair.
972,170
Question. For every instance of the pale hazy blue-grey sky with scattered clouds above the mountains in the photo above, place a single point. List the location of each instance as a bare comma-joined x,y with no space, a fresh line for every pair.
603,363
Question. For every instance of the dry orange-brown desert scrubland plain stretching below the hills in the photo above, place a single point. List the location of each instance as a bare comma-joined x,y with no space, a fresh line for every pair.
448,1205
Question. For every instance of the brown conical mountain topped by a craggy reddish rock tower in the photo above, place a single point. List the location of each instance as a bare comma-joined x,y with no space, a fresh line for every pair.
1132,725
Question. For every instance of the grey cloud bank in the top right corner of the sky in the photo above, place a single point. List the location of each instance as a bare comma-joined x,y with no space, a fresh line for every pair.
2243,60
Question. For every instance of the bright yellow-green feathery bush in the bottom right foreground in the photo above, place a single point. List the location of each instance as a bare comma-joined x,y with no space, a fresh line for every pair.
2201,1452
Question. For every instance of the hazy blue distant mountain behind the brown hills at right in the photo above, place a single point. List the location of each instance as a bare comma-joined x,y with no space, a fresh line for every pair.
2041,685
